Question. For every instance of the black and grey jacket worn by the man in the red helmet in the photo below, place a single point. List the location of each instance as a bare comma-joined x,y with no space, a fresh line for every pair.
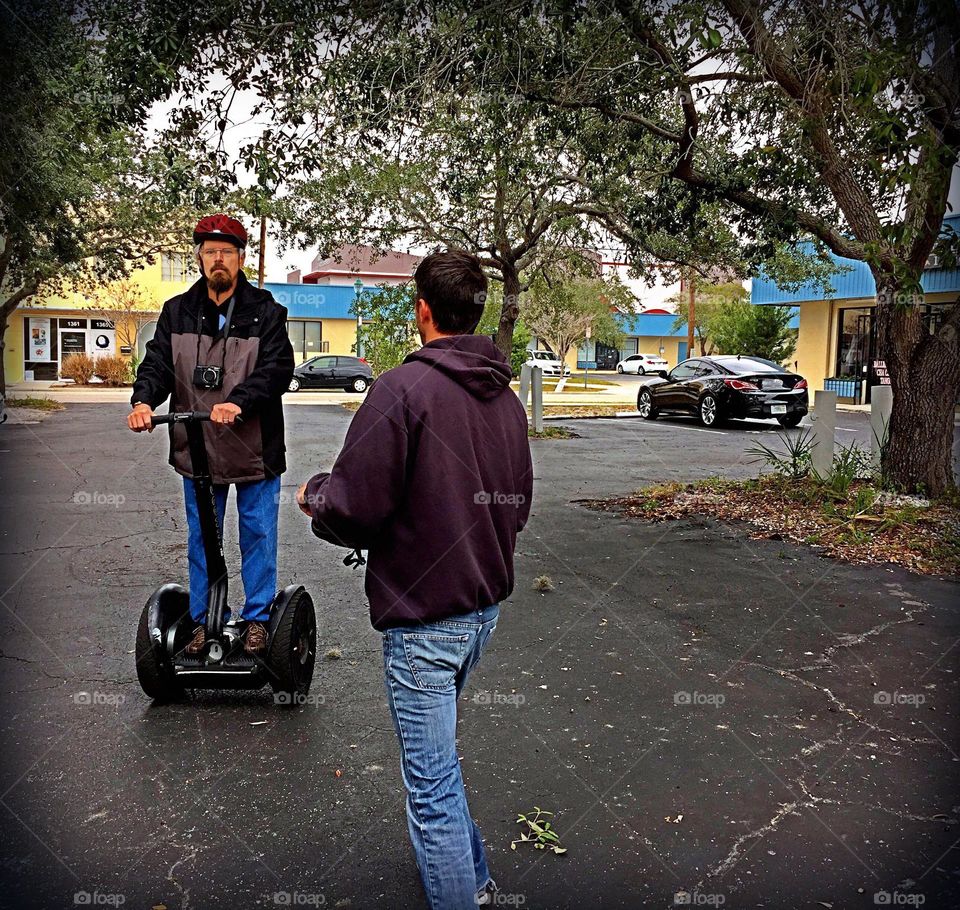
257,369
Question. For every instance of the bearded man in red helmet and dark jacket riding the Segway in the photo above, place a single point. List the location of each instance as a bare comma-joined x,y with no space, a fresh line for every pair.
222,347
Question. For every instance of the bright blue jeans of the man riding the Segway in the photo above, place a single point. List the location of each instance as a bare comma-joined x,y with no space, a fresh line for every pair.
258,504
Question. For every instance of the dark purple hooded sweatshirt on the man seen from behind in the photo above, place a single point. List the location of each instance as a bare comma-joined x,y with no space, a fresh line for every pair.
435,480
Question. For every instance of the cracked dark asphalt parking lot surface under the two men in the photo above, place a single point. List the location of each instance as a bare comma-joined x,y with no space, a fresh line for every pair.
699,709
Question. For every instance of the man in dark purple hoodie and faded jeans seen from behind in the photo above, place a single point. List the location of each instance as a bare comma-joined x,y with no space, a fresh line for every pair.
435,480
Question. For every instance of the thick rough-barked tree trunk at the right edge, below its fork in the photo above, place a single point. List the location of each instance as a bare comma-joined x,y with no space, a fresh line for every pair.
924,372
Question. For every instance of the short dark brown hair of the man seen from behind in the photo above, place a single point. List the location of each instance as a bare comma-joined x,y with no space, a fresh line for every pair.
455,288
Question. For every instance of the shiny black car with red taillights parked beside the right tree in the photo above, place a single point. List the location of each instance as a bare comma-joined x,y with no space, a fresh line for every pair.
718,388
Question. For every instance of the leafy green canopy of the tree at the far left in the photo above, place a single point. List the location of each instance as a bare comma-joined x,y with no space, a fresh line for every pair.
85,196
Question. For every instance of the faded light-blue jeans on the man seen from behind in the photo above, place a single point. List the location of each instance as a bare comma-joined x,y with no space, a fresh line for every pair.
426,667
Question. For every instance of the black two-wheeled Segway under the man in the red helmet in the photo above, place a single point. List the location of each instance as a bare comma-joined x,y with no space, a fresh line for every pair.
165,670
